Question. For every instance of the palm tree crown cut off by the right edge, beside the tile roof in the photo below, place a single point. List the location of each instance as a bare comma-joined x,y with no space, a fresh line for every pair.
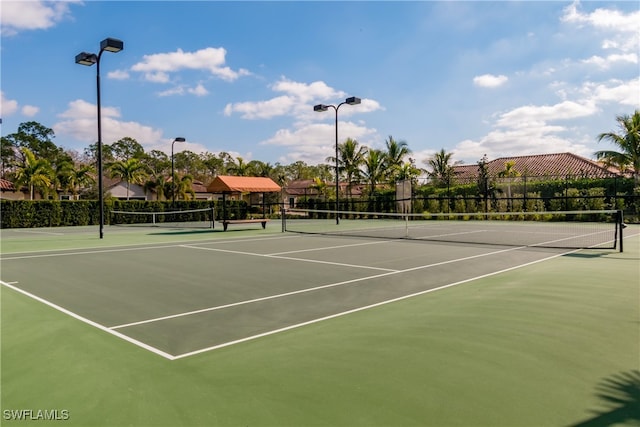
628,141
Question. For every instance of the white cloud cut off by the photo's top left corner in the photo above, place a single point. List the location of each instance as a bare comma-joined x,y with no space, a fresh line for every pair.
19,16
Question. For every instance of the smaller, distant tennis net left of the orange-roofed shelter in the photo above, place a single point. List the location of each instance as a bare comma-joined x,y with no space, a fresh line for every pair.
194,218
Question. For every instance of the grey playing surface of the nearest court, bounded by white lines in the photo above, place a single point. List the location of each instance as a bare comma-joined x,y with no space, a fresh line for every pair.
184,298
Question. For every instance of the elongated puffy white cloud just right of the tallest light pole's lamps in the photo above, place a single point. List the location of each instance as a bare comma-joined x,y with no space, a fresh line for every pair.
157,66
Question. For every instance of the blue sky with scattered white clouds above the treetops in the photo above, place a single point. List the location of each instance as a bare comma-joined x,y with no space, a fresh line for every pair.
474,78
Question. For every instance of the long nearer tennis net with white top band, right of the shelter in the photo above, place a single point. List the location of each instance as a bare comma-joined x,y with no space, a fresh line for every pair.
600,229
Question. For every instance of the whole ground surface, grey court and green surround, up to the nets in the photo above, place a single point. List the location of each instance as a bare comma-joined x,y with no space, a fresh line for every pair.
154,327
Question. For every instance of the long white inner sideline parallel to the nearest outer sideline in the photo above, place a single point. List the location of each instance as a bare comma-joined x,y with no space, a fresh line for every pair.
301,291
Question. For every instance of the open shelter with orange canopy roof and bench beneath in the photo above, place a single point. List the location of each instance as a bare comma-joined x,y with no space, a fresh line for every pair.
226,185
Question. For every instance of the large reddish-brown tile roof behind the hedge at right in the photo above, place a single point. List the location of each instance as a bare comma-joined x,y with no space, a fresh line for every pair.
558,164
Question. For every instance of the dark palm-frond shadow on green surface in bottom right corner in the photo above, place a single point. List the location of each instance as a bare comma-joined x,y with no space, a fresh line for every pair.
621,392
